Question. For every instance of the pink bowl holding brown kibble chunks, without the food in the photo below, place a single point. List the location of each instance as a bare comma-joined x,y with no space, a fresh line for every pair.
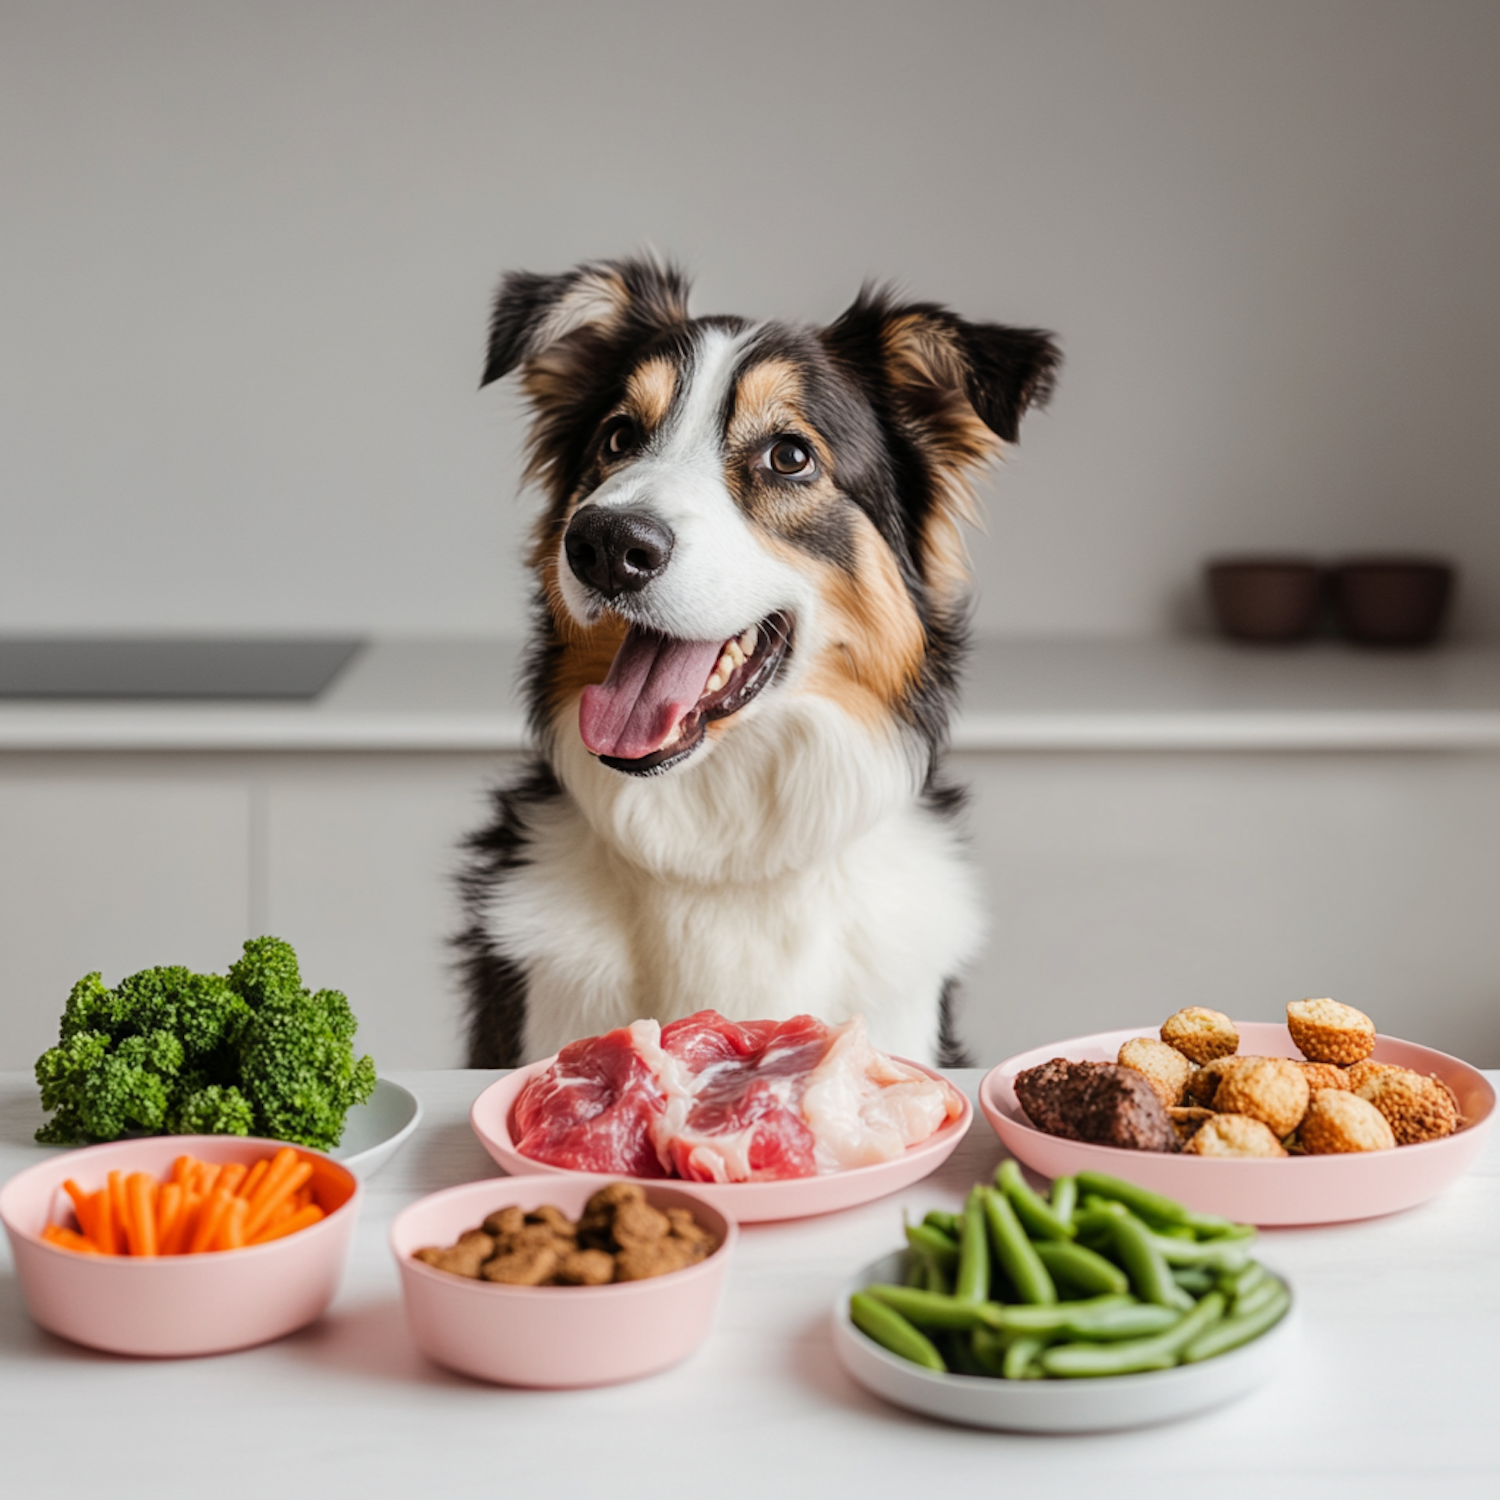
553,1337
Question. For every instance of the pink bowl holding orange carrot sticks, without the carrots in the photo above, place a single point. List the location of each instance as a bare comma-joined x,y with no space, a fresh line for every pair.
175,1304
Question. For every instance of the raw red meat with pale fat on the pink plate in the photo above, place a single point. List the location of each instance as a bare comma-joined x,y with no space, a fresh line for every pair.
713,1100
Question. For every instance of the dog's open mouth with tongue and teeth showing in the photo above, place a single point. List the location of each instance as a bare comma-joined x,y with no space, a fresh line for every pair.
655,707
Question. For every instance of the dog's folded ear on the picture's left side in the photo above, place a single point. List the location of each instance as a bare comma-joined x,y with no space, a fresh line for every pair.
598,304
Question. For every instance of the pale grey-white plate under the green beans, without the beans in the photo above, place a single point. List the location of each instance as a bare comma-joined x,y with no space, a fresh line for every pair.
1055,1406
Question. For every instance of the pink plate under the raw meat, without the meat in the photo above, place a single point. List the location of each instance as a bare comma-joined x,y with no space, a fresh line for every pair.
746,1202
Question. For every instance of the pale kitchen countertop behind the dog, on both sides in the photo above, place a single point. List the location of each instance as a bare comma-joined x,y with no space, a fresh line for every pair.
1019,695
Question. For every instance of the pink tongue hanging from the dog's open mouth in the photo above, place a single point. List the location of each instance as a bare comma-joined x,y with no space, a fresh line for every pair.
653,683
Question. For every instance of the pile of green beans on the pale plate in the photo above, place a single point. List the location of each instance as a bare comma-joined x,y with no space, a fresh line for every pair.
1100,1279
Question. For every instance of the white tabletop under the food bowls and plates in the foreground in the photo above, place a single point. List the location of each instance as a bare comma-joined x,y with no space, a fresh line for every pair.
1396,1390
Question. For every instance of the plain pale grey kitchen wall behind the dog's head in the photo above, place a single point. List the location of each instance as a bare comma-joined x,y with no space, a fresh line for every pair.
247,253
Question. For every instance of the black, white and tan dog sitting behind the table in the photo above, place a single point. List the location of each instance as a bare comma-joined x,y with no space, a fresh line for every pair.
751,608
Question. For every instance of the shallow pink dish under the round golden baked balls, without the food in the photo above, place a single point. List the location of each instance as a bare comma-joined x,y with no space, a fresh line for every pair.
1292,1190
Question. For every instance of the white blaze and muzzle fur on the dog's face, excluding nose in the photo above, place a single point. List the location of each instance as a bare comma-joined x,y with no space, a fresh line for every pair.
722,578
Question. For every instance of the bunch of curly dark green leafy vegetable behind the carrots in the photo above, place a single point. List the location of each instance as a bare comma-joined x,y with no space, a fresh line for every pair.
167,1051
